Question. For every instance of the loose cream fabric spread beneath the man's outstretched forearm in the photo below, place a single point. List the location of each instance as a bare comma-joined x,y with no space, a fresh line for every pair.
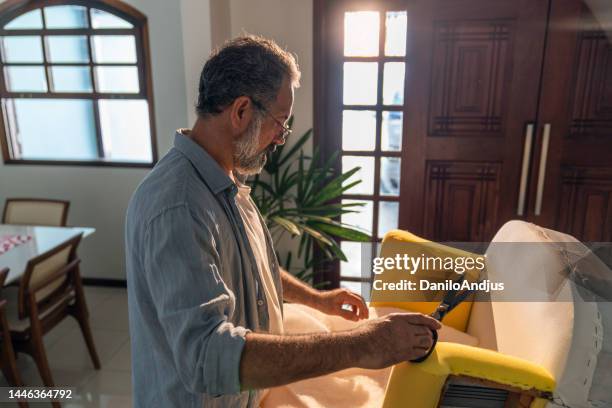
352,388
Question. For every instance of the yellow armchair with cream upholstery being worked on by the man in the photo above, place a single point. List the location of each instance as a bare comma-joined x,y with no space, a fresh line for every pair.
528,352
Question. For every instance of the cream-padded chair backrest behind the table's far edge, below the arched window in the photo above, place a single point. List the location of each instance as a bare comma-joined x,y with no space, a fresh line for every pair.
35,211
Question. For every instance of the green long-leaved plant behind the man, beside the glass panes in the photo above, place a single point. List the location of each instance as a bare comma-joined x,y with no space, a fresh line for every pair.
298,196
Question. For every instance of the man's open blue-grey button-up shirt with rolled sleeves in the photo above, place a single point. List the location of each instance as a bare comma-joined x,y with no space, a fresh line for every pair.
194,290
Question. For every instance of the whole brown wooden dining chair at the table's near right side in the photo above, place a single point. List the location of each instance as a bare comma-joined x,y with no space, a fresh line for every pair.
49,291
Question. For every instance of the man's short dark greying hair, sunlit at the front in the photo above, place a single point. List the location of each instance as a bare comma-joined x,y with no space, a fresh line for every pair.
245,66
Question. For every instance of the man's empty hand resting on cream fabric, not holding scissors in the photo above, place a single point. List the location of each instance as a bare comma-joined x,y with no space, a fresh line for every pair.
342,302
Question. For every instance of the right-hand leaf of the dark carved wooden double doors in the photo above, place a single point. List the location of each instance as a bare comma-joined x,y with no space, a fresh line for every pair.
572,167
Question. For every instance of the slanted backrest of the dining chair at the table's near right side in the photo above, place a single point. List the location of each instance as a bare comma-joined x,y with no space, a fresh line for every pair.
48,277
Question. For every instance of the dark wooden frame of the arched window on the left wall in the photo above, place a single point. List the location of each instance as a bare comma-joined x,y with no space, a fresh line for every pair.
12,9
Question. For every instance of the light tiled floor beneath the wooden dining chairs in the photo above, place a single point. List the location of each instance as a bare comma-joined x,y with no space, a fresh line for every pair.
70,362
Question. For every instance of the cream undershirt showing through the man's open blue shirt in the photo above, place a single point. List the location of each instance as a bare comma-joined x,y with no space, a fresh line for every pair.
257,239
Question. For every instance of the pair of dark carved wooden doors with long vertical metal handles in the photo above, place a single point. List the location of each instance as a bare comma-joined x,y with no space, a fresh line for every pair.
509,116
